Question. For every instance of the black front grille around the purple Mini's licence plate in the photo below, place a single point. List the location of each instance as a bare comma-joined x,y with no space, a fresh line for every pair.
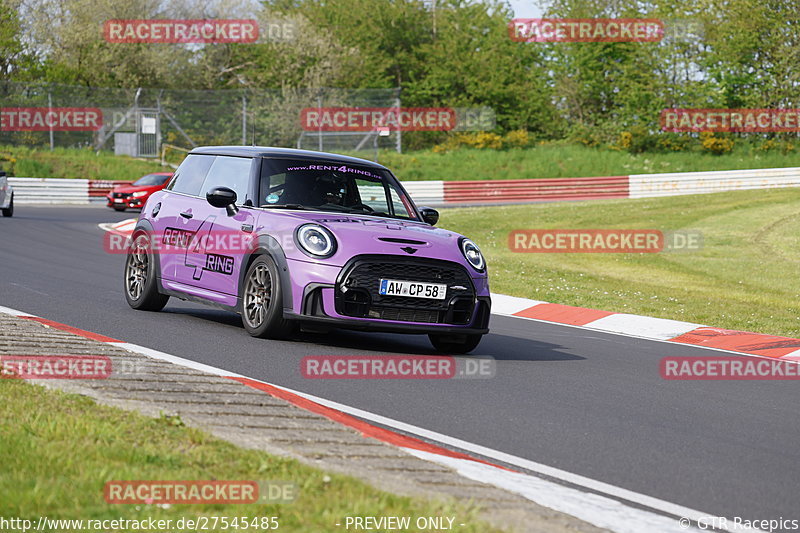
357,291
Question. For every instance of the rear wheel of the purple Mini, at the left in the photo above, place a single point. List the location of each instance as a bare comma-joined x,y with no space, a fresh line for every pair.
139,284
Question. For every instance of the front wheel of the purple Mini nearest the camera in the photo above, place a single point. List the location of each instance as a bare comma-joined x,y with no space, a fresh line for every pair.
262,301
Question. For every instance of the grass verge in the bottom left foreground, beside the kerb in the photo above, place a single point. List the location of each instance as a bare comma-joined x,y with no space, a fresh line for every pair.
59,450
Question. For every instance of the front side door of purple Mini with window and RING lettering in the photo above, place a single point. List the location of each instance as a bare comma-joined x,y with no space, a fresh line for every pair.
215,258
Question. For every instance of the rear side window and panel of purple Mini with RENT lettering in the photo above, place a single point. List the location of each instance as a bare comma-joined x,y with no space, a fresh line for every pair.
174,211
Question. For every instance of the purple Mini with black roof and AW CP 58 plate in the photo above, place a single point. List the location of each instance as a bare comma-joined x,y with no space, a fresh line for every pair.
292,238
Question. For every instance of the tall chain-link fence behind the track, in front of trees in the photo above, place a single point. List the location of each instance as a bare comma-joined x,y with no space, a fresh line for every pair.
139,122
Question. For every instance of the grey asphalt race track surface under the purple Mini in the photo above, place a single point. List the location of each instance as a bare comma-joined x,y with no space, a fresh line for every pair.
586,402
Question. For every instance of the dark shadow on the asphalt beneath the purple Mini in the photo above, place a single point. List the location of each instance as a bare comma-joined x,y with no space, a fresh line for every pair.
499,347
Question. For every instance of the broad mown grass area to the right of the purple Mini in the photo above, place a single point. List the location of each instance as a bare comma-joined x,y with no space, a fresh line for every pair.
745,277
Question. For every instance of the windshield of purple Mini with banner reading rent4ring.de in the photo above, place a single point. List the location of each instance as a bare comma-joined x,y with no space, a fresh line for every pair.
326,186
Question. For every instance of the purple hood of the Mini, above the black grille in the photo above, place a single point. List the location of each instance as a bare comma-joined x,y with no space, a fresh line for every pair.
363,235
